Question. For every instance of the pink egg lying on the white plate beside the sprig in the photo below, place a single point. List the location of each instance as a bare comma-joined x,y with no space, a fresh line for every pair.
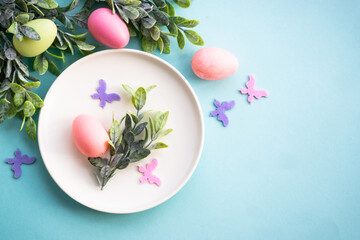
90,136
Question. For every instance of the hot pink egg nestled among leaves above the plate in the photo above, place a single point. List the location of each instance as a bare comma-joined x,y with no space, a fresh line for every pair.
108,28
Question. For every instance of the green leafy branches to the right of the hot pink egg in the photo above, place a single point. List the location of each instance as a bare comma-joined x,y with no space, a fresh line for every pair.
154,22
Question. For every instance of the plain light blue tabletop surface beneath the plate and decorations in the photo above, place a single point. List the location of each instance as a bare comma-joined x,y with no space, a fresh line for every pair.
287,167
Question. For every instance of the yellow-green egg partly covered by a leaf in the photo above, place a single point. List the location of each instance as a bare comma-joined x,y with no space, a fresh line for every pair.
30,48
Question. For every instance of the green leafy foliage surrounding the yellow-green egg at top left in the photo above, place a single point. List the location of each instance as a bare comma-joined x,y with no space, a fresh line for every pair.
16,84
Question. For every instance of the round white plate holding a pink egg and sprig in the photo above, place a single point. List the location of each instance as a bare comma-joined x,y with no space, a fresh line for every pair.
69,96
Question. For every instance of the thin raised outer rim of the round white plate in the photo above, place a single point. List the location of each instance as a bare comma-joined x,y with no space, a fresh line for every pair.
197,104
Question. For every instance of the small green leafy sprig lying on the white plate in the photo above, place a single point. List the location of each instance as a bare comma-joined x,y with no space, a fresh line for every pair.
137,139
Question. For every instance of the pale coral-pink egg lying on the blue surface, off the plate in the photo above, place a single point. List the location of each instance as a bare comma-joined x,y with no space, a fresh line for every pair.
214,63
